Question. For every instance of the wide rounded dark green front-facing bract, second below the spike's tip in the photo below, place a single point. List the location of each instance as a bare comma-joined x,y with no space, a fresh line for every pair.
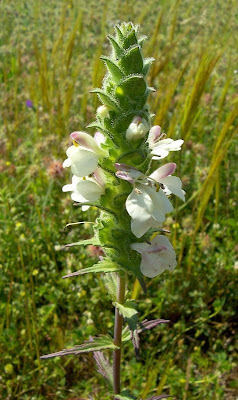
132,85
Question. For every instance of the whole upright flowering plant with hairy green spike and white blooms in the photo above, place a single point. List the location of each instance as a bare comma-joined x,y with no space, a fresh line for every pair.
117,171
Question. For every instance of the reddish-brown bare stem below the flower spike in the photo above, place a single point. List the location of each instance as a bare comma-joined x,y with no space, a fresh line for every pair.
121,279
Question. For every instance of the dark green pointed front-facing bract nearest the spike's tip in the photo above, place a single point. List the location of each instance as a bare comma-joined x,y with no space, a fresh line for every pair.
132,61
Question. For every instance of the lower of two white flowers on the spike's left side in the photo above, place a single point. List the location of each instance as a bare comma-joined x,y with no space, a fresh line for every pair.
86,190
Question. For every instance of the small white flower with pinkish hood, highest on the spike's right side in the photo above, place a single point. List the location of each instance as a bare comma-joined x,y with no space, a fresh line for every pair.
160,148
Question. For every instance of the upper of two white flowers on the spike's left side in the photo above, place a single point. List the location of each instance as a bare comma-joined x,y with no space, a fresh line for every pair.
83,156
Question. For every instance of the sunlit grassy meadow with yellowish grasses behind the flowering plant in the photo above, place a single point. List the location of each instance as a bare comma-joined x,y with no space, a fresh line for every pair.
49,61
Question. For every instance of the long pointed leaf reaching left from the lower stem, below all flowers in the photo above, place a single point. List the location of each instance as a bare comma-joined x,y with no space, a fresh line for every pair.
102,342
